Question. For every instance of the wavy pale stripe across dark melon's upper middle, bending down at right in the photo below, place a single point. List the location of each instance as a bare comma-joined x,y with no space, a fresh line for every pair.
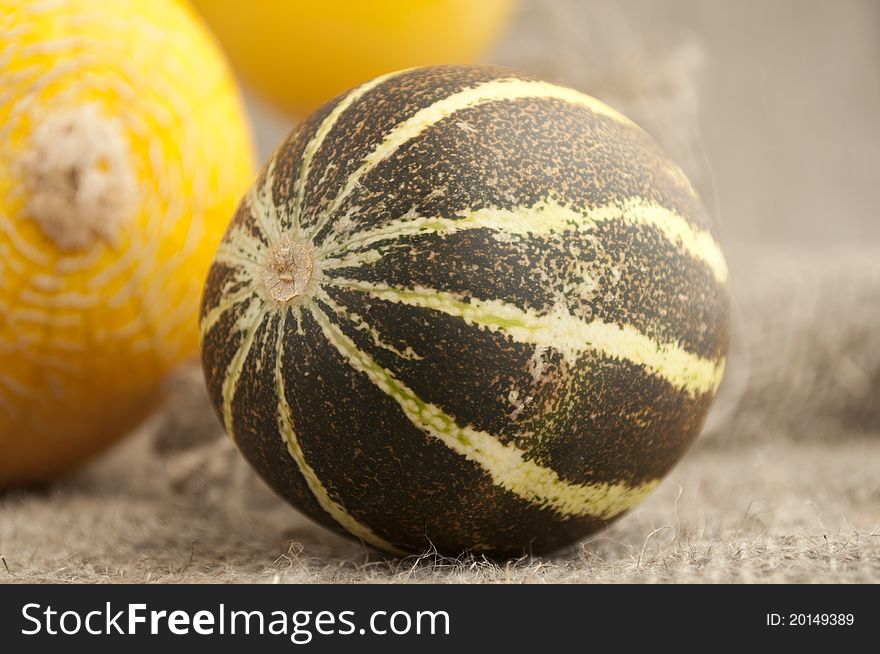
544,218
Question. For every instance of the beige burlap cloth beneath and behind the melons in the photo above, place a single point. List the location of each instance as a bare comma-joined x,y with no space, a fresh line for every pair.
771,109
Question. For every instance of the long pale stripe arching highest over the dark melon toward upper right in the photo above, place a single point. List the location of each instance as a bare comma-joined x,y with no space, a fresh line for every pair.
498,90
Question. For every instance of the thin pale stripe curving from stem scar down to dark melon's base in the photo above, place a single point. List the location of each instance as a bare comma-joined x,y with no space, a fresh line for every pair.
334,509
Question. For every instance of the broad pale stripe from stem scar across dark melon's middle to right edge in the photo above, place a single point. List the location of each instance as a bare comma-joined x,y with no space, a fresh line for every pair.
561,331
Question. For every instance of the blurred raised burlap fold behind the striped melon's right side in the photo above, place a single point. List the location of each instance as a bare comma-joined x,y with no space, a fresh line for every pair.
805,361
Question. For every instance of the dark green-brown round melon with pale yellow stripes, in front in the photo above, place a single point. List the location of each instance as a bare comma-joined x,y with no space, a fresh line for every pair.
468,309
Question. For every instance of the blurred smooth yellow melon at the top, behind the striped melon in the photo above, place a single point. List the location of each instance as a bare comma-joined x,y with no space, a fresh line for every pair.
300,53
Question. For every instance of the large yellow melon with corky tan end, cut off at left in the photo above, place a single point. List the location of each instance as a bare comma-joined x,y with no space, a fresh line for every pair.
123,152
